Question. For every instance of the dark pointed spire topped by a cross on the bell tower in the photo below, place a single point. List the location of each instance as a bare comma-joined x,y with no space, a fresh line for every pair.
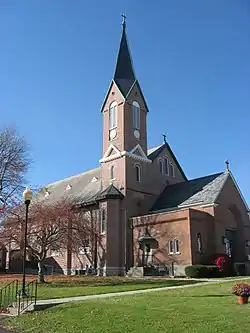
124,75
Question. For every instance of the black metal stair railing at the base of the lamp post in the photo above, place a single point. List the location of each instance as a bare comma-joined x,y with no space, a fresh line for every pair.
30,296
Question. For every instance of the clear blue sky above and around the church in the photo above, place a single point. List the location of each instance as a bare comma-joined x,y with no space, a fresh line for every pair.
192,59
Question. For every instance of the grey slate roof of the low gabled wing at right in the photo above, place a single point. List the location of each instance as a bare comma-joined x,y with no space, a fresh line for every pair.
202,190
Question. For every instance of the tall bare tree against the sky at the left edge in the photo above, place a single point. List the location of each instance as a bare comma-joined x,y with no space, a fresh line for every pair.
14,163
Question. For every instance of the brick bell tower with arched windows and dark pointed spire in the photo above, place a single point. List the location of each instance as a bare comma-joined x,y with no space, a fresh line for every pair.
124,122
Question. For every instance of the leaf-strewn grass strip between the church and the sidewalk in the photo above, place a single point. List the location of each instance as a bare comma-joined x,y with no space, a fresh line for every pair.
59,287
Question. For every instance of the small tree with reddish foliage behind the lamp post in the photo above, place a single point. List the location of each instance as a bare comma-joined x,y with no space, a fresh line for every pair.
46,230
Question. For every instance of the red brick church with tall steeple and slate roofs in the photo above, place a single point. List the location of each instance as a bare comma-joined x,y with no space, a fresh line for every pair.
149,213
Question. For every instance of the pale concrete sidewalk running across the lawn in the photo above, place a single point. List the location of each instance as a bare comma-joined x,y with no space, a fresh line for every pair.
42,304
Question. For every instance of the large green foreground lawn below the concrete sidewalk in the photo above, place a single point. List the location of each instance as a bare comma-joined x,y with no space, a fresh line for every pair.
206,309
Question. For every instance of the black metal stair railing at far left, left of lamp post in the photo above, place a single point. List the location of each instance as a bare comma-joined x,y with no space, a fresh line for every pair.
8,295
